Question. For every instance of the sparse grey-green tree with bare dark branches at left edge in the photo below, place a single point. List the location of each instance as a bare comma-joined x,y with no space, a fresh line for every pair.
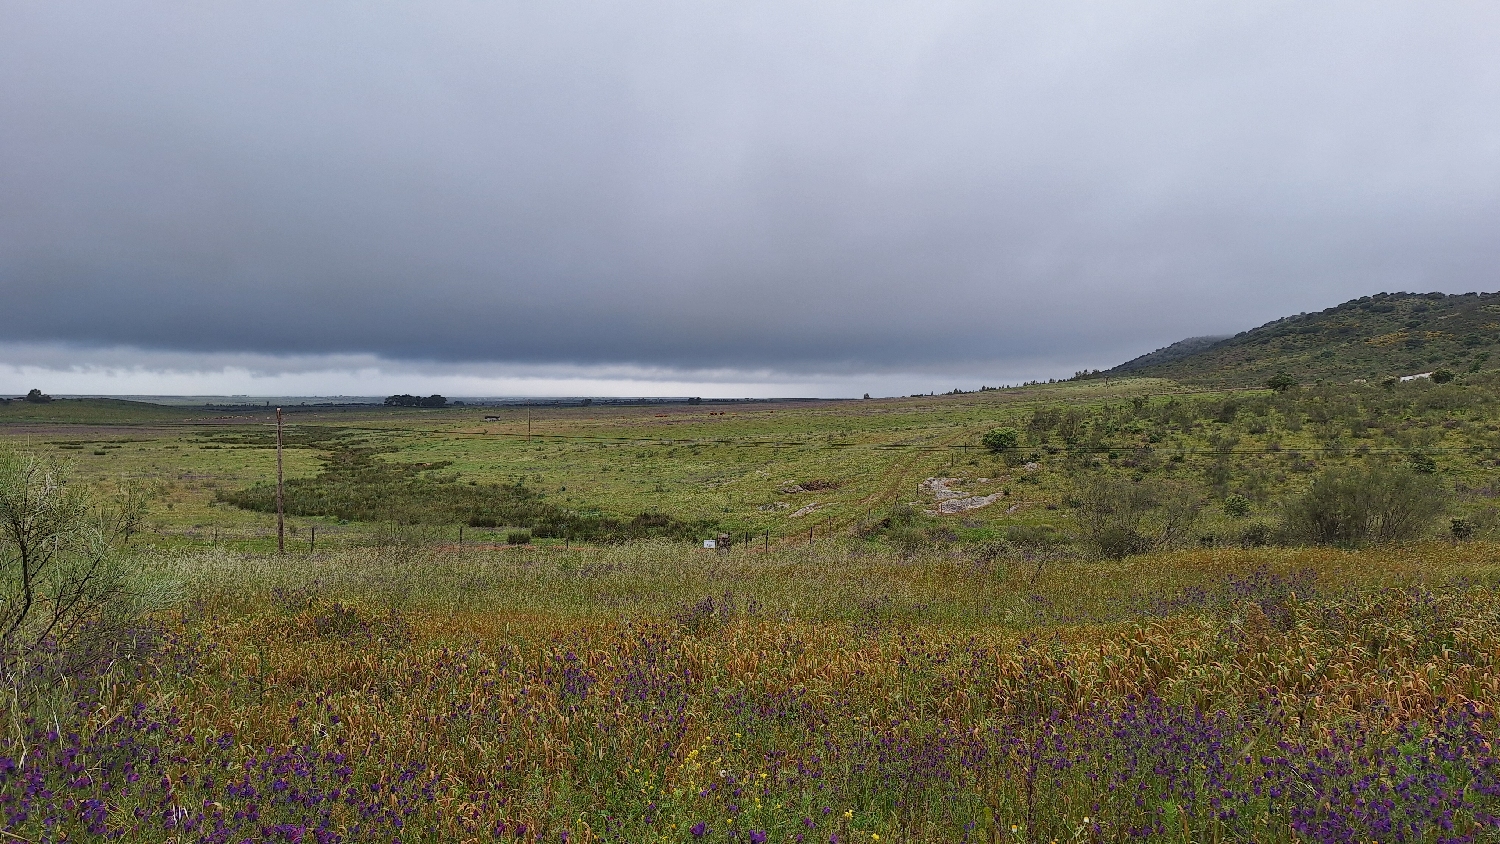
58,566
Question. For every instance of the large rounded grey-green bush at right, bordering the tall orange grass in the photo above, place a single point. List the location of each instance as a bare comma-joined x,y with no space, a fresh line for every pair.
1372,504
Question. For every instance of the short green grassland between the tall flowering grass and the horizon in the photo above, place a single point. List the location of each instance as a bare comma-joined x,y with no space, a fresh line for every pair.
826,468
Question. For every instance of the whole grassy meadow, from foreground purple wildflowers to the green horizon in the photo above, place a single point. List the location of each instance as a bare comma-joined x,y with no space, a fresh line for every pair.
899,677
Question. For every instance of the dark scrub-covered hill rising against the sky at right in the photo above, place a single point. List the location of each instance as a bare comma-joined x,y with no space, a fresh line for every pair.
1367,338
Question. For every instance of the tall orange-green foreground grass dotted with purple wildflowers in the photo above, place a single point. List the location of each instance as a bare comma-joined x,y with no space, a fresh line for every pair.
650,693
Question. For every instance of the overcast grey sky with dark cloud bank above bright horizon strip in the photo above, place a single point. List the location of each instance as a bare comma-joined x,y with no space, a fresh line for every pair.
716,199
